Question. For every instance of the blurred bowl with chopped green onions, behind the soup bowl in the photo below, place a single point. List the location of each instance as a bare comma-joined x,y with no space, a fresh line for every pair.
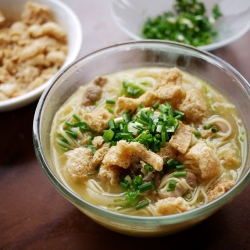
206,24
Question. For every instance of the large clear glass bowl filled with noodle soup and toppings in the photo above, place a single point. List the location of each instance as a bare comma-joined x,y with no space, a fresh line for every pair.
150,143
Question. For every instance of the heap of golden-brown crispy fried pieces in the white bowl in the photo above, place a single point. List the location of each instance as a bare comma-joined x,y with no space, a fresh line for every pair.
31,50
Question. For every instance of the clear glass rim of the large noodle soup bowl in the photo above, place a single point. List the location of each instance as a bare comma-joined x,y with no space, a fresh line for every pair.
142,220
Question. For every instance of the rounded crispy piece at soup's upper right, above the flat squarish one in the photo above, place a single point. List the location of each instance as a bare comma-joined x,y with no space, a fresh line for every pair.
194,105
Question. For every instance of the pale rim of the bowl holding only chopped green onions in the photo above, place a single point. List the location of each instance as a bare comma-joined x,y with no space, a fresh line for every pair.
208,47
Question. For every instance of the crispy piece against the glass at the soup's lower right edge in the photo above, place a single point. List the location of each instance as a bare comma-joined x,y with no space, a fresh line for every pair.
219,188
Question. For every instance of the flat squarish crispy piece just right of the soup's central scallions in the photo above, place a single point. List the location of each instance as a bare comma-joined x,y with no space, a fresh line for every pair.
182,138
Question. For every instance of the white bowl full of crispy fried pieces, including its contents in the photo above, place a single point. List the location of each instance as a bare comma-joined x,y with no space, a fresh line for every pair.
38,38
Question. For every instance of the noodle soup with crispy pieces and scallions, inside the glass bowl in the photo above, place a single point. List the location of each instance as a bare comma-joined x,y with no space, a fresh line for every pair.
148,141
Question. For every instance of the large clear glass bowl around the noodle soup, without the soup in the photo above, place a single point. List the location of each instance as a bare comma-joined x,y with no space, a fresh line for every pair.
133,55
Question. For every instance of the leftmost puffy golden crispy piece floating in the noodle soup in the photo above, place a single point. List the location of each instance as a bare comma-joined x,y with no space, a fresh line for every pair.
79,163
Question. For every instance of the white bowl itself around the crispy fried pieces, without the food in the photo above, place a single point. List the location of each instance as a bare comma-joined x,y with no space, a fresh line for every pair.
67,19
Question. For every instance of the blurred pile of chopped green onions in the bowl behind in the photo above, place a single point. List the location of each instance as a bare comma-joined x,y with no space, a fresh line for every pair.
188,24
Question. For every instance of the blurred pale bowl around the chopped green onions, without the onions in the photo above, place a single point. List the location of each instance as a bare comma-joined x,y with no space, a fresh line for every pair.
130,15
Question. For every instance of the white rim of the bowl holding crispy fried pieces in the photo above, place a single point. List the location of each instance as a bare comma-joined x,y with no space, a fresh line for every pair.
20,101
